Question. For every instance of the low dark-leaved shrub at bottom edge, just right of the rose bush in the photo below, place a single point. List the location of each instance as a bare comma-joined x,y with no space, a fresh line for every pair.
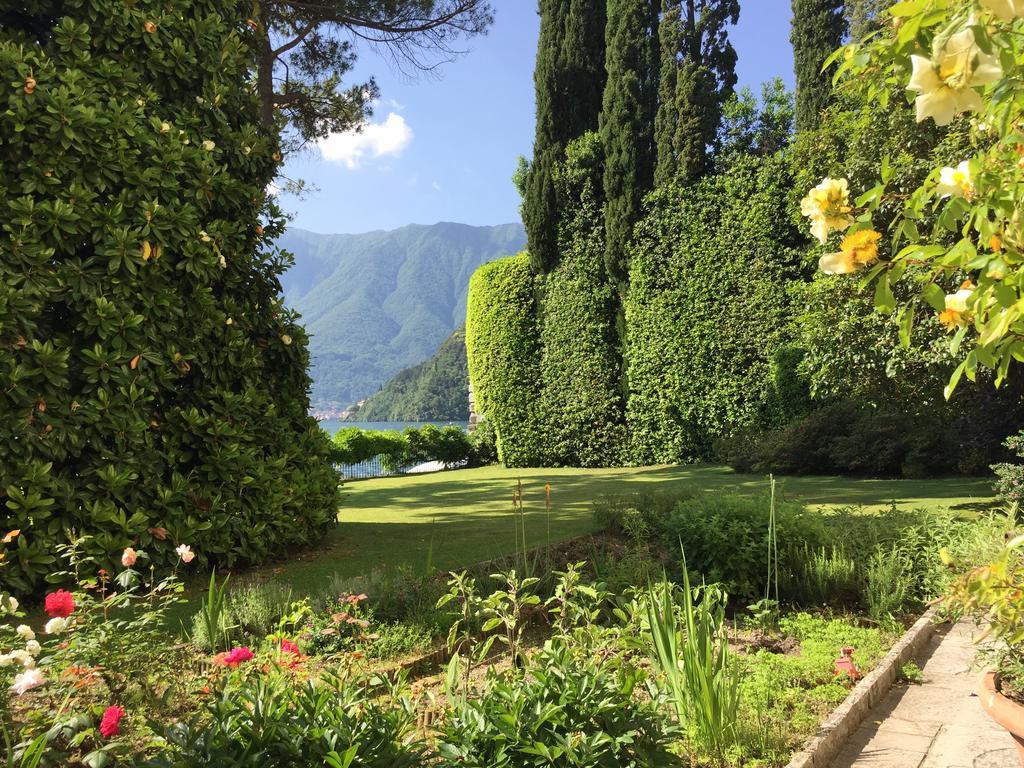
266,719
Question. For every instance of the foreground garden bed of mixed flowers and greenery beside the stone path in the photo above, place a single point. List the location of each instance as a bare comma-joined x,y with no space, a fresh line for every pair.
425,669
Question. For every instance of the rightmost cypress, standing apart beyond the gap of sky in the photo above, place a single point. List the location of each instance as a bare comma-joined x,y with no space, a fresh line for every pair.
819,27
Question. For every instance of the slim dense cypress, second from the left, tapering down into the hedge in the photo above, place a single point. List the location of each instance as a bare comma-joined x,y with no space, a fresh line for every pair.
627,123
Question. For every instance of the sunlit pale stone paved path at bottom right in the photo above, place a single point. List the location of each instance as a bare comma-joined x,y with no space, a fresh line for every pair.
936,724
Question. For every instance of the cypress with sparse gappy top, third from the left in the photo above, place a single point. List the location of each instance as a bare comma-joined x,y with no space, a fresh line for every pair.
699,75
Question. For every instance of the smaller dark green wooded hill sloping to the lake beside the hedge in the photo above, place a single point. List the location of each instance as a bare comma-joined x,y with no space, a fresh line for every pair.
435,391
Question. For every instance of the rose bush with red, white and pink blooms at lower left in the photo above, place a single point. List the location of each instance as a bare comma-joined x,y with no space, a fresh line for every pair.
72,677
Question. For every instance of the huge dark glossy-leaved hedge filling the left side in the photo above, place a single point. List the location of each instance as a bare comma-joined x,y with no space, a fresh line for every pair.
155,388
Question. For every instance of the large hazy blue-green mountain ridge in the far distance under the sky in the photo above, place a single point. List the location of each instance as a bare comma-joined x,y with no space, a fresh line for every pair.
379,303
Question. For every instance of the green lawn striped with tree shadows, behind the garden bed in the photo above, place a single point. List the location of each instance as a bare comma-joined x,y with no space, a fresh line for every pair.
465,517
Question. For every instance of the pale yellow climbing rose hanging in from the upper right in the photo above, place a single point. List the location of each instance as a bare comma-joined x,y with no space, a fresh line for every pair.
959,238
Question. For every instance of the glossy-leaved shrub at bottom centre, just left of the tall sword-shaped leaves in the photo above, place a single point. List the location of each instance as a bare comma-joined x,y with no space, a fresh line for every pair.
565,710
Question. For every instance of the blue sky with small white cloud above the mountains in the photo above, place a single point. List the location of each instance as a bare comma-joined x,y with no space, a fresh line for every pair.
444,148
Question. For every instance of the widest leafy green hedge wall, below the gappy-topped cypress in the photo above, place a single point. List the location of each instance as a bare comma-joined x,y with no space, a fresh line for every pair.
707,309
